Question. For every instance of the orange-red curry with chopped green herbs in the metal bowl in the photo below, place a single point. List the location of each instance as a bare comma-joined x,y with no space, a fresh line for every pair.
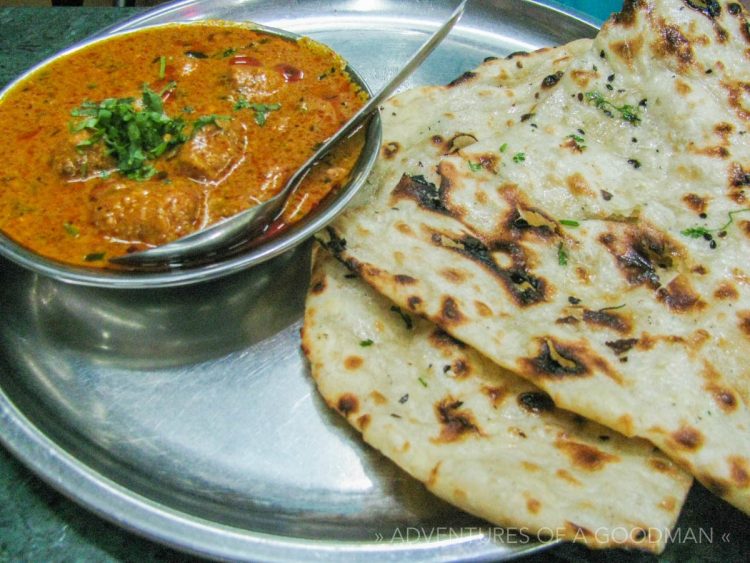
143,138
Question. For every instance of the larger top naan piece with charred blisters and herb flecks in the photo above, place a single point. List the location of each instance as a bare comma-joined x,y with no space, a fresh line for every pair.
562,246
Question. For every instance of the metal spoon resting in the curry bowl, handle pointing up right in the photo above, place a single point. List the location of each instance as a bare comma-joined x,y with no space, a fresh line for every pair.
251,221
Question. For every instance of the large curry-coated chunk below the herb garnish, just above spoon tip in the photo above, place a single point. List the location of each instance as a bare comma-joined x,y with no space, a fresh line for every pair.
149,212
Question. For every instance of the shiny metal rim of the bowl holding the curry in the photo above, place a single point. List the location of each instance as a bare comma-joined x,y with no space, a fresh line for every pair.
302,230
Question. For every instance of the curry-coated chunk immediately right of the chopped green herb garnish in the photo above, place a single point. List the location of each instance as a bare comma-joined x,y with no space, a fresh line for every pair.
211,153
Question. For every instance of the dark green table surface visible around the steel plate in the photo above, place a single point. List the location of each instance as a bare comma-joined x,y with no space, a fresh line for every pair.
39,524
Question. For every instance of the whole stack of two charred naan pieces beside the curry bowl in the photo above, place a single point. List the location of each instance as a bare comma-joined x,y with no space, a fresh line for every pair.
540,304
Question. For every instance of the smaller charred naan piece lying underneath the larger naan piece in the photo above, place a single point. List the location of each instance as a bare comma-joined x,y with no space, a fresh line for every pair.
478,436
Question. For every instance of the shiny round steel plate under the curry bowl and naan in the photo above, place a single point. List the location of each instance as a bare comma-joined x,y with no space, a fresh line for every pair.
187,414
